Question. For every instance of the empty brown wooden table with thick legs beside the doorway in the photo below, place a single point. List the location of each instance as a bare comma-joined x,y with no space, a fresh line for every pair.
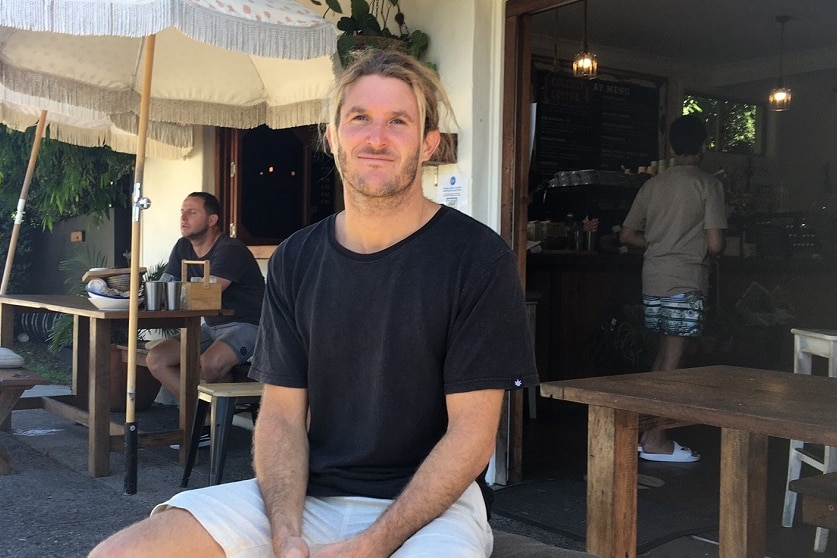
747,404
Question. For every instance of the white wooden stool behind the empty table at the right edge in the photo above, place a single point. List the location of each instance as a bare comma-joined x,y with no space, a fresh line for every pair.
821,343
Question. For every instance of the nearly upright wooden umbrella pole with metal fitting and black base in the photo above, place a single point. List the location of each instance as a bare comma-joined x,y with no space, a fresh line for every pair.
130,482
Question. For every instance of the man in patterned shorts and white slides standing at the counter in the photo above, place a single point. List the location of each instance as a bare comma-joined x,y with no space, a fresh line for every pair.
678,218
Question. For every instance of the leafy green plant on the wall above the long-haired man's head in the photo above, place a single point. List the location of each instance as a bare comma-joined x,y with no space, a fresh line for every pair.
368,26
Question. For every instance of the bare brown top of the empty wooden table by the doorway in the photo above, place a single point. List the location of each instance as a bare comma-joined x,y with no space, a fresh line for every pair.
780,404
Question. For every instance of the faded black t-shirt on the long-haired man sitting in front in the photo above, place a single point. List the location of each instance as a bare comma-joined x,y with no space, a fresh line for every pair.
380,339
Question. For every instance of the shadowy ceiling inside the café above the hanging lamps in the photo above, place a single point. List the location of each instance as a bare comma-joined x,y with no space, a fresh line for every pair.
731,36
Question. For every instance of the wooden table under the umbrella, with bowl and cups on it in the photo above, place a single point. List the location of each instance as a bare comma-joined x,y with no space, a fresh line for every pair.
89,403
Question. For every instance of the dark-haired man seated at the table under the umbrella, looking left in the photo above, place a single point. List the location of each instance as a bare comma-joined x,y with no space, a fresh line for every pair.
225,340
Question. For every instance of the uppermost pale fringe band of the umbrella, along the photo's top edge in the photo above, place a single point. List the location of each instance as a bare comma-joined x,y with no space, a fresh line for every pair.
236,32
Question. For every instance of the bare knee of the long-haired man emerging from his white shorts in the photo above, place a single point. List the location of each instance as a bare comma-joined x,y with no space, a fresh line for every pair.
174,532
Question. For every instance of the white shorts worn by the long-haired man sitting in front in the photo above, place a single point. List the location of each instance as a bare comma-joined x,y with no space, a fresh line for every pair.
234,515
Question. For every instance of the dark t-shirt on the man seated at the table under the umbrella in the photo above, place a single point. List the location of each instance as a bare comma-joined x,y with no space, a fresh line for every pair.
229,259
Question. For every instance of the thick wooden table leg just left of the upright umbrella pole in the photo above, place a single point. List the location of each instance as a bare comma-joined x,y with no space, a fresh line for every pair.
99,395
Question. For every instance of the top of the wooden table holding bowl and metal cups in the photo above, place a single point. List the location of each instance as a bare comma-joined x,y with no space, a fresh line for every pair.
81,306
